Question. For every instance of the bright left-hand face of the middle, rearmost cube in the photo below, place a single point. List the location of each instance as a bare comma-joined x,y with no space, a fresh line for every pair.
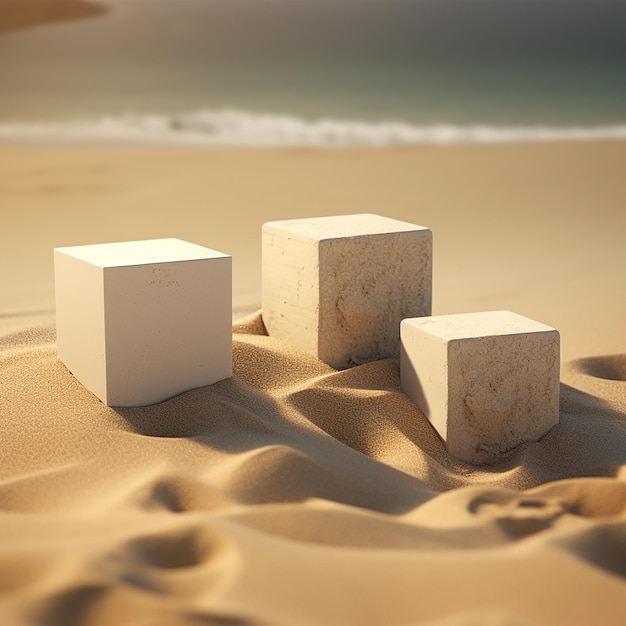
290,287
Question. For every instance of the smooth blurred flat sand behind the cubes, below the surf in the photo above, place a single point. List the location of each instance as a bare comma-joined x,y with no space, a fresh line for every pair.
535,228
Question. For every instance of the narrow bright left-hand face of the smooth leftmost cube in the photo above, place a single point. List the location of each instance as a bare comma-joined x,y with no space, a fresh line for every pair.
79,301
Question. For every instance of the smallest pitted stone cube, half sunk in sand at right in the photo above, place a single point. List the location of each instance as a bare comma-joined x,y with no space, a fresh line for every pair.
487,381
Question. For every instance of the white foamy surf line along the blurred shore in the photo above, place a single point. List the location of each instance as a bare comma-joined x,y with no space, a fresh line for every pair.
240,128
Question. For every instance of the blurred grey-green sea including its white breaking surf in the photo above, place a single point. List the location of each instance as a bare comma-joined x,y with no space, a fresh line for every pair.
266,72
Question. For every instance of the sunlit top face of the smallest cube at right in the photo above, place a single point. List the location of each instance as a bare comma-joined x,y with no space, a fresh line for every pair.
476,325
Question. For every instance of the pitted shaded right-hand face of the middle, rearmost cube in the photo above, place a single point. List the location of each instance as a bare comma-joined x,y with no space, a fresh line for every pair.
368,284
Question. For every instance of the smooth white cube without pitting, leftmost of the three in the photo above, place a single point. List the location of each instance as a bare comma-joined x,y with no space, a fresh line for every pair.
141,321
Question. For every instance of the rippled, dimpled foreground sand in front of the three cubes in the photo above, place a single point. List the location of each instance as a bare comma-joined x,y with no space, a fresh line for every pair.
295,494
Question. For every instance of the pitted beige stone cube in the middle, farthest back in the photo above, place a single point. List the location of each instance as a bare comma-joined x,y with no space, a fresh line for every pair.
337,287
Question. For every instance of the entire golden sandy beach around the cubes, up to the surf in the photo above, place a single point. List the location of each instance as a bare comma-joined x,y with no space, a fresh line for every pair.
294,494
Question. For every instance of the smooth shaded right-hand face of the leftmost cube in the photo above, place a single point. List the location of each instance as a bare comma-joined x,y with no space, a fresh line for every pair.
168,329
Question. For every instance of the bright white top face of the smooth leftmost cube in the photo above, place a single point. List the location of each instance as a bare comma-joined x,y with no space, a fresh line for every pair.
146,252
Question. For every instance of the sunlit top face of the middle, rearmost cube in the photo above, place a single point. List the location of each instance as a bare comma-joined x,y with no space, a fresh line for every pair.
316,229
